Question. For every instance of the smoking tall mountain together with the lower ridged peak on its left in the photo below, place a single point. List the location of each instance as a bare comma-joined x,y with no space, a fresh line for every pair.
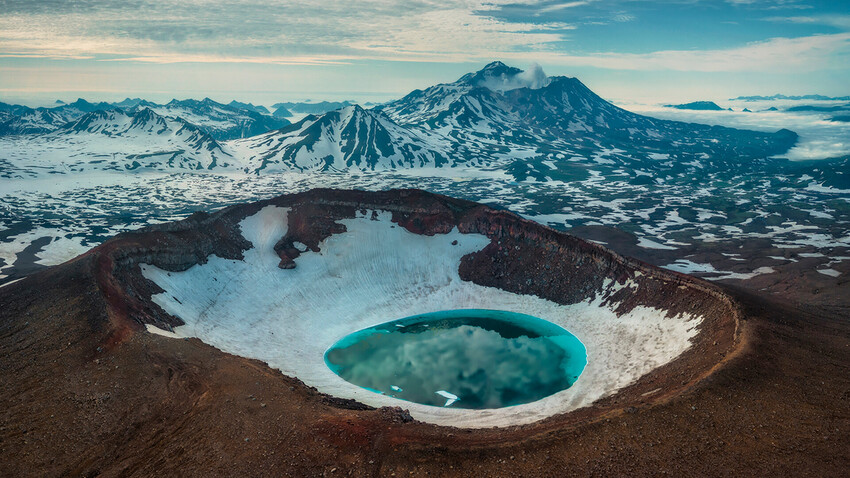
526,123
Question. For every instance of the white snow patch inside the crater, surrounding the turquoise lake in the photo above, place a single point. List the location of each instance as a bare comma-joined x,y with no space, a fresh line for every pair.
376,272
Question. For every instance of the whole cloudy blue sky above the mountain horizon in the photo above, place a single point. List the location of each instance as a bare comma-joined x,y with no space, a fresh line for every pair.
267,51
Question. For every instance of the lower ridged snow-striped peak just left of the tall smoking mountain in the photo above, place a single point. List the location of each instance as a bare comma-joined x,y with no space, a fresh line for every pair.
349,138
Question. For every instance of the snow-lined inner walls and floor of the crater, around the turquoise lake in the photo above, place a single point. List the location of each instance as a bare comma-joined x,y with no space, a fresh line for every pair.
282,280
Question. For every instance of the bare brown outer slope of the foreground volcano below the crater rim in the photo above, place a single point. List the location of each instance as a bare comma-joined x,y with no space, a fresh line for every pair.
88,394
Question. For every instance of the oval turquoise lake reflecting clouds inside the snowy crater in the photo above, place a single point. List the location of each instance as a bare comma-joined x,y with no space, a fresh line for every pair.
469,358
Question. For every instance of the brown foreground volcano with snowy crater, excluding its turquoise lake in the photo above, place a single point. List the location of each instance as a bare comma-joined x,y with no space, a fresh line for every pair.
196,348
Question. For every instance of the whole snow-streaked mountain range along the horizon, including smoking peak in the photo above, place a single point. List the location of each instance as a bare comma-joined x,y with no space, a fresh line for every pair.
524,123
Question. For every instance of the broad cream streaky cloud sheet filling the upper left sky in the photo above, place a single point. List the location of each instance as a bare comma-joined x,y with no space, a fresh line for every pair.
449,30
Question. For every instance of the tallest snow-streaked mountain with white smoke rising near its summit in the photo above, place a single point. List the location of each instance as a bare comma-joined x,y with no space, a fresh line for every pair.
501,105
